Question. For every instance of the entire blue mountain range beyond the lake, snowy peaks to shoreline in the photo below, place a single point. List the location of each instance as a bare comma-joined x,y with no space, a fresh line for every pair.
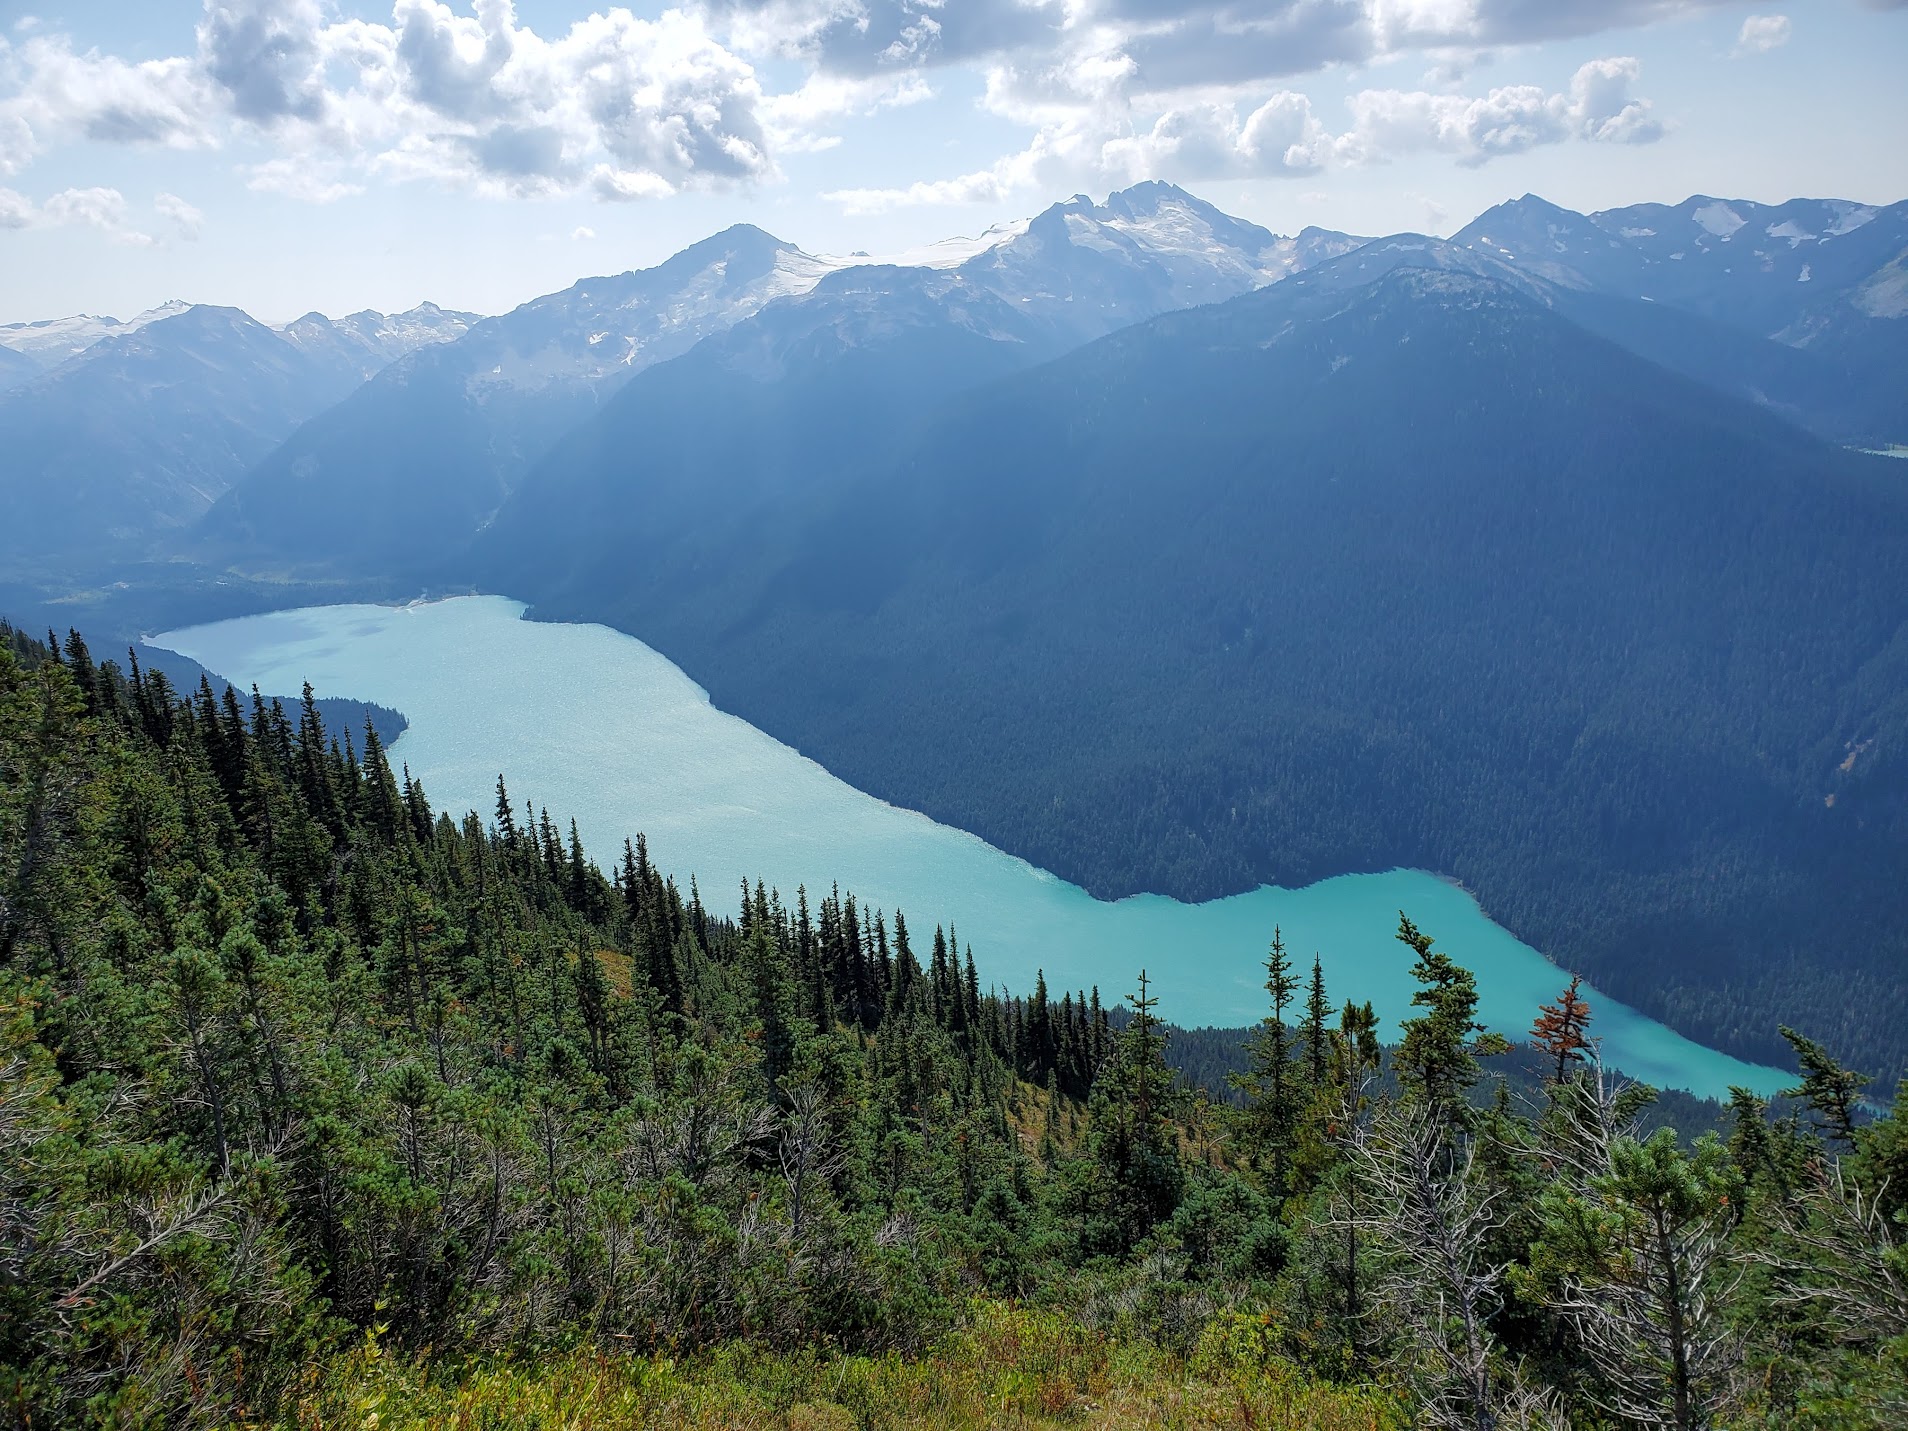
1180,556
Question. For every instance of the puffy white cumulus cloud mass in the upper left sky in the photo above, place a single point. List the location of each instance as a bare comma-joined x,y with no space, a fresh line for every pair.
461,96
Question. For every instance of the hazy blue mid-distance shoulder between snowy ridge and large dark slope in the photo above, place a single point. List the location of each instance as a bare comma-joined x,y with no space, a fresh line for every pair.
781,411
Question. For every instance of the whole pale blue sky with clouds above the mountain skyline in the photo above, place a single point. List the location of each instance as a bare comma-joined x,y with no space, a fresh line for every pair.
291,156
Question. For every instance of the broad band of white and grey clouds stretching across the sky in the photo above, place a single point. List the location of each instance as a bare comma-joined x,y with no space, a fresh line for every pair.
629,108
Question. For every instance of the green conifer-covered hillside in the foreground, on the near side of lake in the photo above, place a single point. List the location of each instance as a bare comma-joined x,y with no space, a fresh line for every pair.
325,1108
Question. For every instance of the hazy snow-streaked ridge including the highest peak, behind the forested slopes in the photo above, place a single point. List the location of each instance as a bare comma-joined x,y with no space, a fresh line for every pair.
426,453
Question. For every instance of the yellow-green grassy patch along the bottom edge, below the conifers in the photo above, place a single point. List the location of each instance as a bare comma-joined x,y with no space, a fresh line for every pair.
1010,1369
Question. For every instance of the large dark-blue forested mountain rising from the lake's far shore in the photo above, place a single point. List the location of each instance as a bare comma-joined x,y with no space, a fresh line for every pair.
1338,577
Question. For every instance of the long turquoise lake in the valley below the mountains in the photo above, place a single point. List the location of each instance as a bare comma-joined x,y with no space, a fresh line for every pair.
596,726
